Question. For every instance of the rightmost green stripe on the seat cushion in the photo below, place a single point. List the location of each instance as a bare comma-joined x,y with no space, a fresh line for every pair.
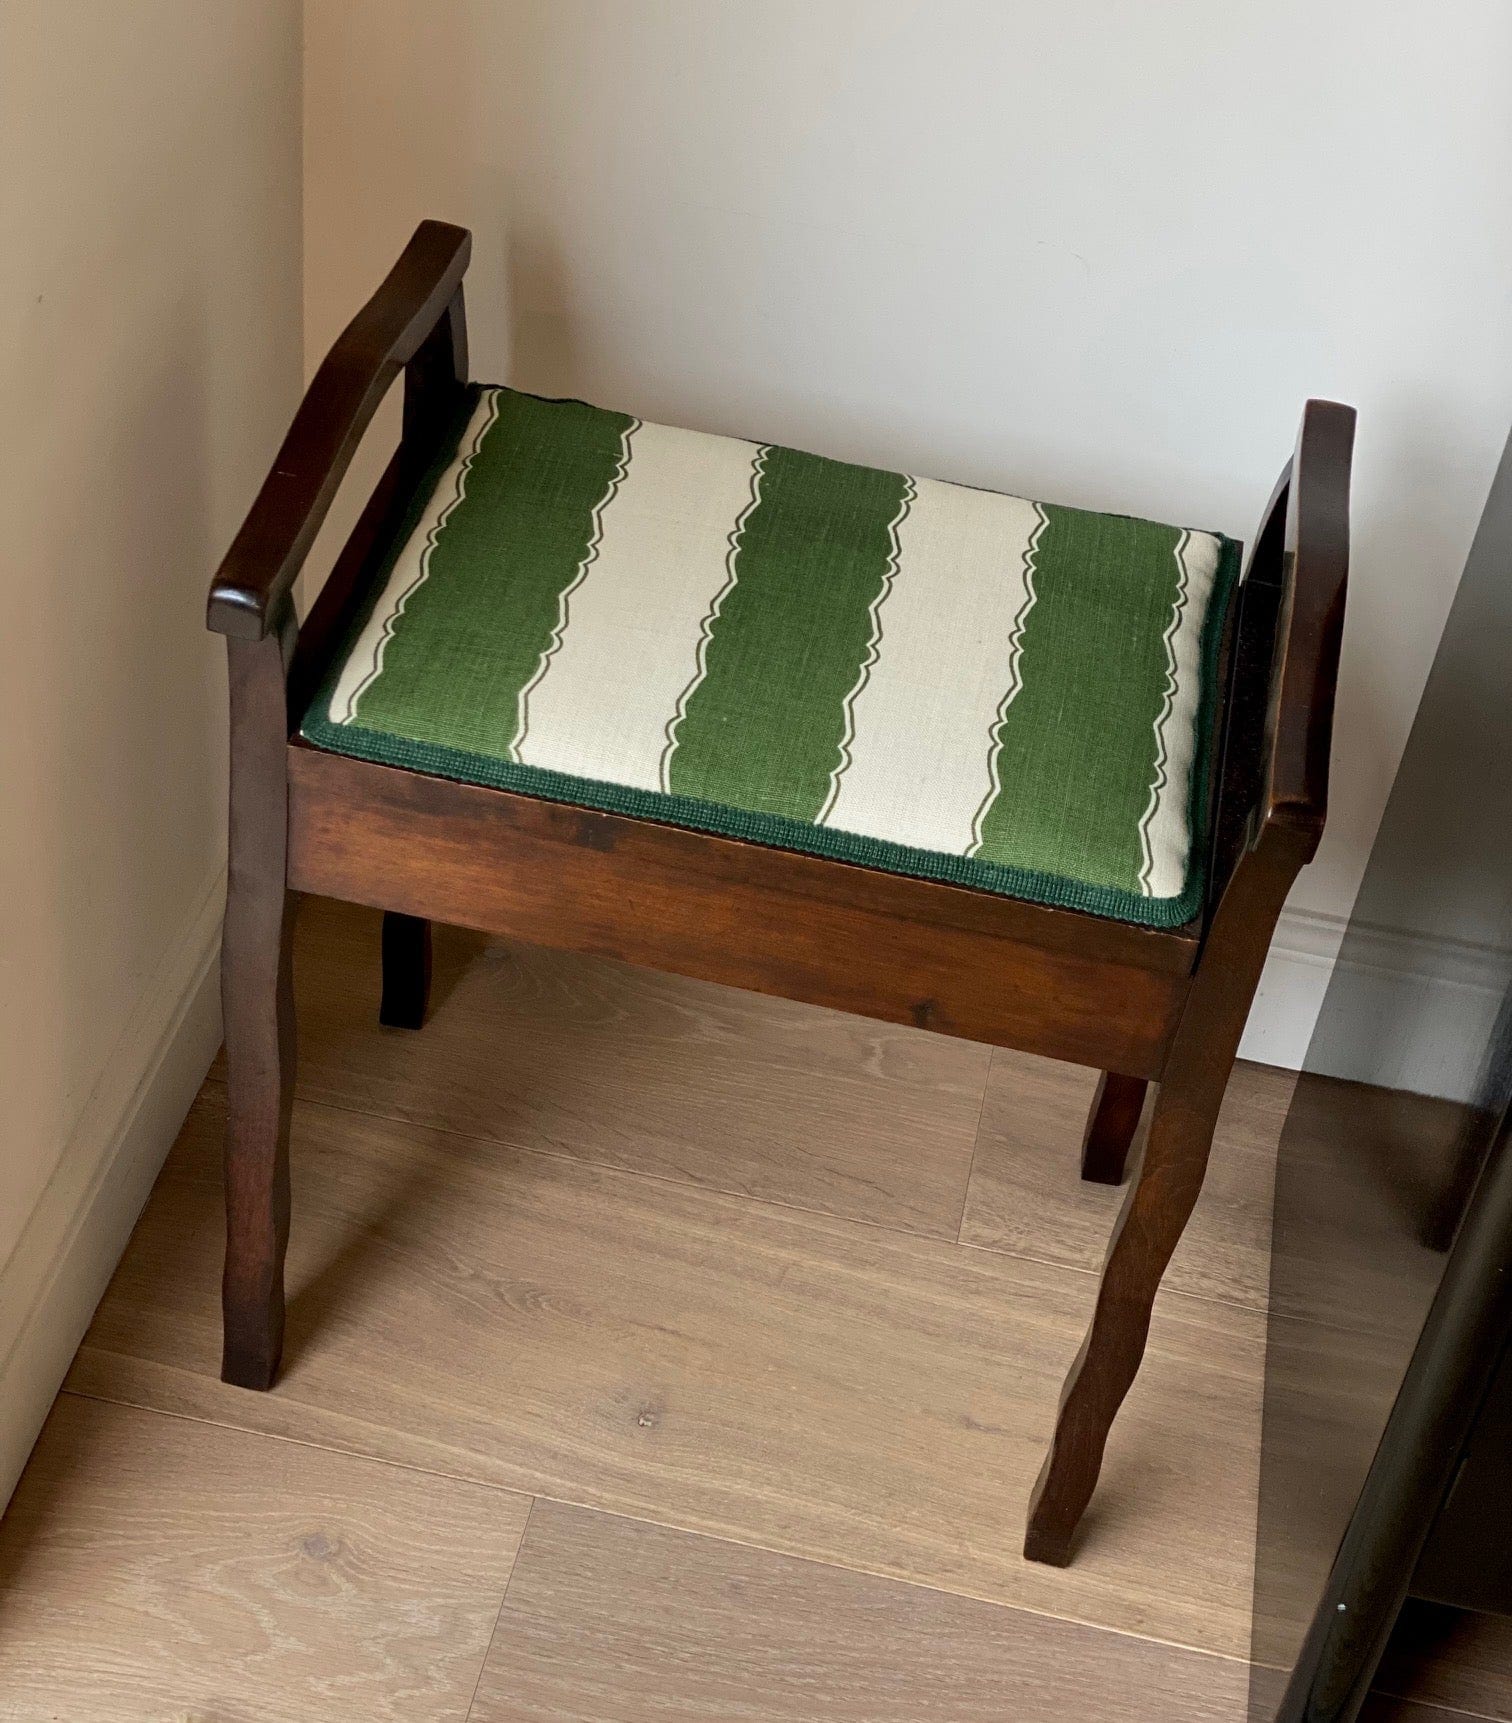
1075,778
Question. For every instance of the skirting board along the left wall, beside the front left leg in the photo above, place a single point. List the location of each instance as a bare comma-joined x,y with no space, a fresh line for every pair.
77,1233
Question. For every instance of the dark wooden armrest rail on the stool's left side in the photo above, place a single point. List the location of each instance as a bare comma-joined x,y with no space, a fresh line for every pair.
345,394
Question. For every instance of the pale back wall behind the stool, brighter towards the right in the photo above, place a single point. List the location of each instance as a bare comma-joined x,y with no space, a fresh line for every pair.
1094,252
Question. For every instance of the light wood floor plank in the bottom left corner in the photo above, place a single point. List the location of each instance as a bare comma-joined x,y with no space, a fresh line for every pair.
154,1569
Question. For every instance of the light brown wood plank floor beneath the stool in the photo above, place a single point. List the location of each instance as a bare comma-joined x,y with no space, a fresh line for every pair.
655,1352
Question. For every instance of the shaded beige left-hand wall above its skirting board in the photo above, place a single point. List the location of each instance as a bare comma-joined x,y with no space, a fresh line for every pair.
149,361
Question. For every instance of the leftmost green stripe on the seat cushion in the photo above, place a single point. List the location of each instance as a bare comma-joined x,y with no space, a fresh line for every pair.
514,549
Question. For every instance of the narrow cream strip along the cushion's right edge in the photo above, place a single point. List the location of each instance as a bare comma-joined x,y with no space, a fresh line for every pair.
1165,830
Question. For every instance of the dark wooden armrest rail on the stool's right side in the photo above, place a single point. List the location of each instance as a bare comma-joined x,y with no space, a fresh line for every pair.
1306,671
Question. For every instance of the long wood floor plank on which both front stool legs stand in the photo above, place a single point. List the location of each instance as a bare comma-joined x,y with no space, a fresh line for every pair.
783,1379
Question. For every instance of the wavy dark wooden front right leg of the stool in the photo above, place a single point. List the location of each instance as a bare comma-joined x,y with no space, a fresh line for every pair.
1155,1214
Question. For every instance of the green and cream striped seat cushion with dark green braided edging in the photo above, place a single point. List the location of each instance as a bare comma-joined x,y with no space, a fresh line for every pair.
795,650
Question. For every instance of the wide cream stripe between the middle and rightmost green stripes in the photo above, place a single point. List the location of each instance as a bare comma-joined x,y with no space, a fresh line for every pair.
946,666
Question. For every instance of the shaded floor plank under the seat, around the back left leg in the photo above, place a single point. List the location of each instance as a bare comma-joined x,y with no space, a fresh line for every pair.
657,1074
